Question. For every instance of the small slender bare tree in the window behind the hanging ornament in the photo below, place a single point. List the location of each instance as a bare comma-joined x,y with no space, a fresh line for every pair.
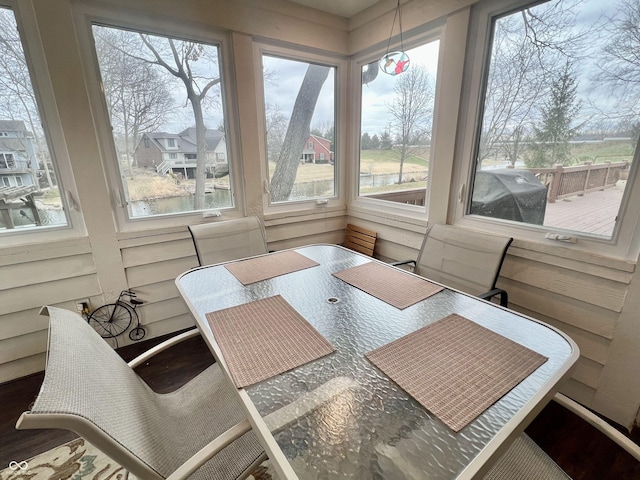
412,110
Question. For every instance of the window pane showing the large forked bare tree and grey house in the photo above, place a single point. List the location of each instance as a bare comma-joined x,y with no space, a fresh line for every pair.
147,78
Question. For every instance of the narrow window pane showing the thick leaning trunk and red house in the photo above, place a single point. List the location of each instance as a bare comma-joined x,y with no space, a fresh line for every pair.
300,101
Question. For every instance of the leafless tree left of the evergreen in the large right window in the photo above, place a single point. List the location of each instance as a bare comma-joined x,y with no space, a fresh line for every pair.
528,50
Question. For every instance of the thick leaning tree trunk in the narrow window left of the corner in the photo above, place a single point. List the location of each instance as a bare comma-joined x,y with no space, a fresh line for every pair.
297,132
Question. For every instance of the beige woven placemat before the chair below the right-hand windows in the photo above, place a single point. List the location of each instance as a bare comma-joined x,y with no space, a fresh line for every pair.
389,284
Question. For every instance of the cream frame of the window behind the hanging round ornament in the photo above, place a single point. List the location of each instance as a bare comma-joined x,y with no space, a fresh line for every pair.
433,31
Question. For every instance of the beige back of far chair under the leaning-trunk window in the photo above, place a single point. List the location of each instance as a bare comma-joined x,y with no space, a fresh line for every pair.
228,240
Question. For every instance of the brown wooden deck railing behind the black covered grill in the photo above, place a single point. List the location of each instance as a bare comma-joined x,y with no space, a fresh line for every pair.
565,182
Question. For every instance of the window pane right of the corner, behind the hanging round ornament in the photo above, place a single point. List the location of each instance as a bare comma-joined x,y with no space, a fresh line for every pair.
395,128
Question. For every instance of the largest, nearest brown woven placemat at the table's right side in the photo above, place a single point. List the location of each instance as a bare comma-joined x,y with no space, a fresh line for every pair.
455,368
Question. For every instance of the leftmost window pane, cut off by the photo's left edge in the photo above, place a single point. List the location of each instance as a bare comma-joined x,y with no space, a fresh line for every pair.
30,198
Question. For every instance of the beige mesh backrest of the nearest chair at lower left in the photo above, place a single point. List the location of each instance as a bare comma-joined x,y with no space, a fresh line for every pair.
89,389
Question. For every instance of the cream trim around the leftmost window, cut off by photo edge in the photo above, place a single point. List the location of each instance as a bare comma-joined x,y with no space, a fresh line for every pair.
52,126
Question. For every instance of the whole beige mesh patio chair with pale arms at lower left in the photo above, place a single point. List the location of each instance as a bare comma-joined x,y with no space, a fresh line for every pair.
90,390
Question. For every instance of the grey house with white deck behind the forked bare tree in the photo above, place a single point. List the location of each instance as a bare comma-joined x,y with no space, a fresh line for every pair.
177,152
